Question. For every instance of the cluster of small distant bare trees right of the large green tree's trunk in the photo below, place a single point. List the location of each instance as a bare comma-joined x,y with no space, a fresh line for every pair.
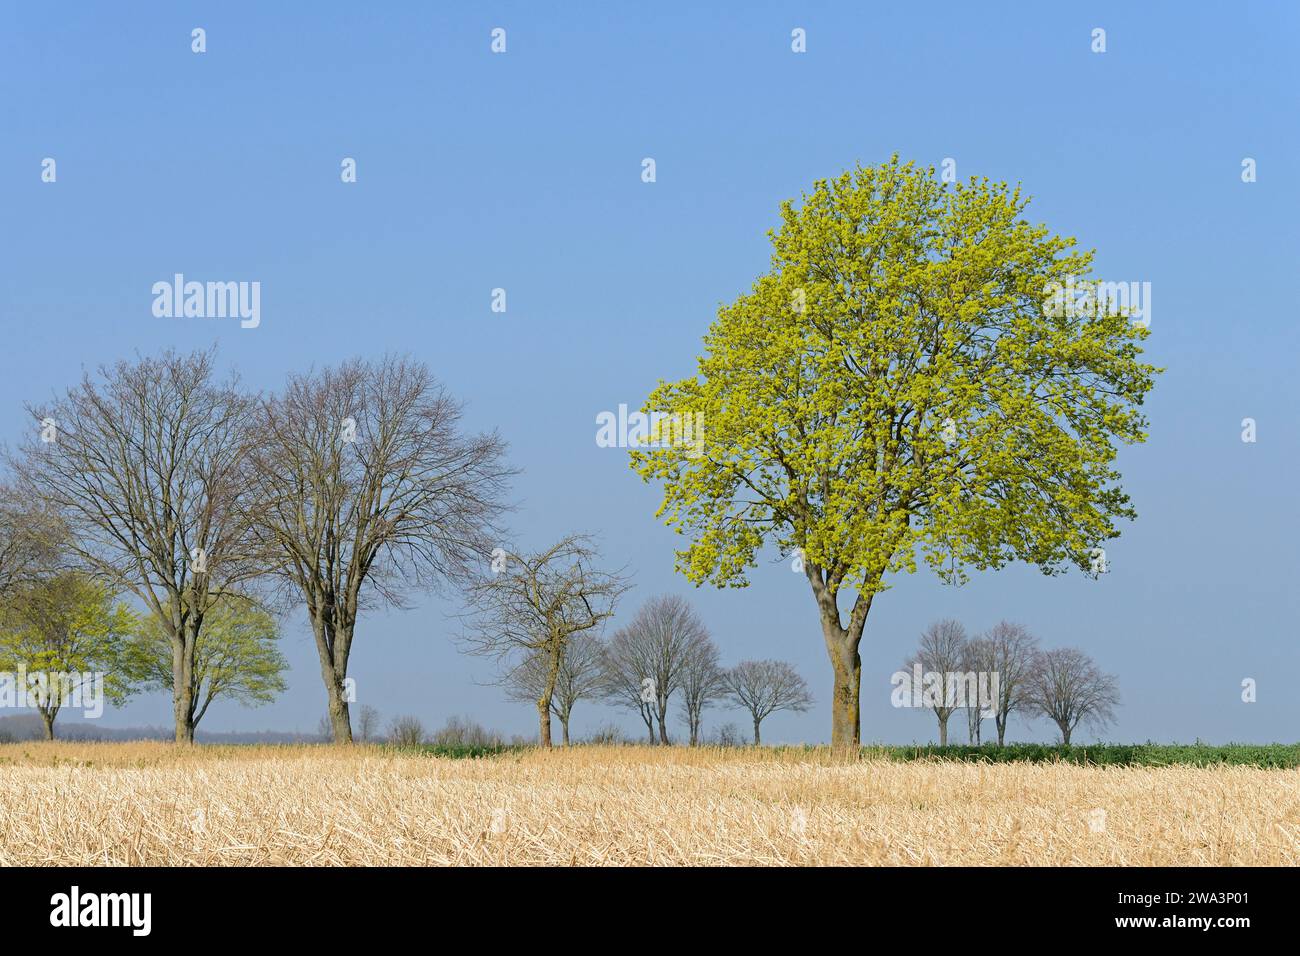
1061,685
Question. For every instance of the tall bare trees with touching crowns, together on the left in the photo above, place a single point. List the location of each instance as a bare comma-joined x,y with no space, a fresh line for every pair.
353,487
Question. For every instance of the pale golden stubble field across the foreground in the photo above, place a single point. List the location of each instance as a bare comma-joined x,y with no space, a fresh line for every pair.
154,804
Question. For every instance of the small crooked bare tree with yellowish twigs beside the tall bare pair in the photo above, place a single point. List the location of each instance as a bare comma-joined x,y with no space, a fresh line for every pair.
538,605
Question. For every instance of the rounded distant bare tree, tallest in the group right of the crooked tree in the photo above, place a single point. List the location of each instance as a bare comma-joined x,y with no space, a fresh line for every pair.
648,657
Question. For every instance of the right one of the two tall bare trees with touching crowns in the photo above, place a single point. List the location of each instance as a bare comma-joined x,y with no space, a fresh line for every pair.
366,490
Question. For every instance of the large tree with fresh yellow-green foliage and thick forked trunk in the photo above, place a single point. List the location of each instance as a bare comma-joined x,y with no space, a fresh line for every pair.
898,390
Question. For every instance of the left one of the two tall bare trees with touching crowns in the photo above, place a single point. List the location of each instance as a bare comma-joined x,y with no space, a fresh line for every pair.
144,466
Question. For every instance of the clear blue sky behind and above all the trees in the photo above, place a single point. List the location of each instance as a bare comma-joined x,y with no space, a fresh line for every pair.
523,171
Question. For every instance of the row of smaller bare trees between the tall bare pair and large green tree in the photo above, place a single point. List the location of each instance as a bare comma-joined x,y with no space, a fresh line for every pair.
540,617
